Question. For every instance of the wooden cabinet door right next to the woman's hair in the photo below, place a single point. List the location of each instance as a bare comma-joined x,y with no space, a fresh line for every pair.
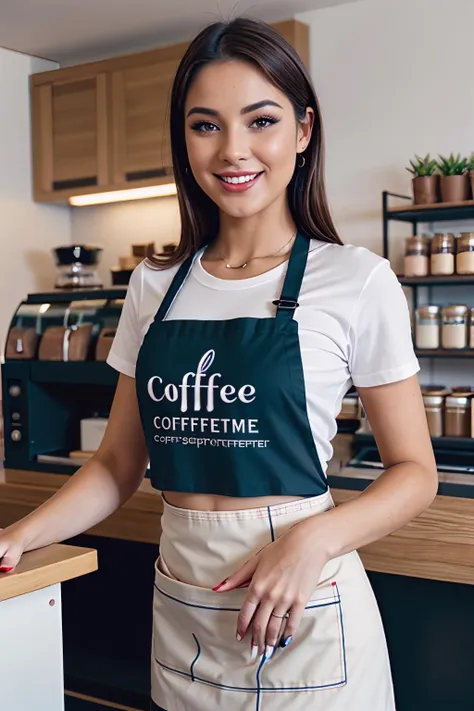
140,126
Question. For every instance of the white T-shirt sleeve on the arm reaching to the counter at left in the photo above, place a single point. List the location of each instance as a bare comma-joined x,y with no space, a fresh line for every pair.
124,351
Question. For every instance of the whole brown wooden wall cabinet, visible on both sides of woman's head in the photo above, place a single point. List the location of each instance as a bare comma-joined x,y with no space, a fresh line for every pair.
104,126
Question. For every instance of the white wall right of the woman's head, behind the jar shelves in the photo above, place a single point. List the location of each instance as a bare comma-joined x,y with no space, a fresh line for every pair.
394,78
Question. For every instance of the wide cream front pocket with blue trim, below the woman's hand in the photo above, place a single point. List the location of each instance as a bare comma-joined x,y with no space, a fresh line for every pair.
194,635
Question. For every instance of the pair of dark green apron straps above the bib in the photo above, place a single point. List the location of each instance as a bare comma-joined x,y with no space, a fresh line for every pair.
286,304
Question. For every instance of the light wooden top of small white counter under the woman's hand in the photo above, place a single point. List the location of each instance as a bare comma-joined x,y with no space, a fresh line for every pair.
47,566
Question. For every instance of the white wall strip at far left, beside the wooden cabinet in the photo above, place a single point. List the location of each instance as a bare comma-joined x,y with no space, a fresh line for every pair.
28,230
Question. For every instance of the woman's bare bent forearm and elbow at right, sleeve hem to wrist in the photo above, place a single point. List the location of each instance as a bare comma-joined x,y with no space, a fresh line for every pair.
410,480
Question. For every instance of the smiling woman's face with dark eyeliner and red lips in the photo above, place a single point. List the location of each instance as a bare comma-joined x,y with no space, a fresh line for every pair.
242,137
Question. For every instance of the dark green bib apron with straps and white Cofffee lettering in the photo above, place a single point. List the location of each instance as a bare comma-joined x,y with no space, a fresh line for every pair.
223,403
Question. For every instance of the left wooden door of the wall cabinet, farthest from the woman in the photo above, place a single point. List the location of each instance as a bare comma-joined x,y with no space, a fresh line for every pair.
70,136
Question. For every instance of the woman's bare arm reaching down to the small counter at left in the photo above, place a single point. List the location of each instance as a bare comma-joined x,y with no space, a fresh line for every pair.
98,489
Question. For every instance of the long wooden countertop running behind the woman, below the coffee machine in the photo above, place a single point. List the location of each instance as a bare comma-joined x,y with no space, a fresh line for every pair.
438,544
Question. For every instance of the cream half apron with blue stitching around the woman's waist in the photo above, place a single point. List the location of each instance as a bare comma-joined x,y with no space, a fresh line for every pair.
337,660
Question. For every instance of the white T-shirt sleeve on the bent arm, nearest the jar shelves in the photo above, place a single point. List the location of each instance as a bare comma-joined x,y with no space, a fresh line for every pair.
380,340
